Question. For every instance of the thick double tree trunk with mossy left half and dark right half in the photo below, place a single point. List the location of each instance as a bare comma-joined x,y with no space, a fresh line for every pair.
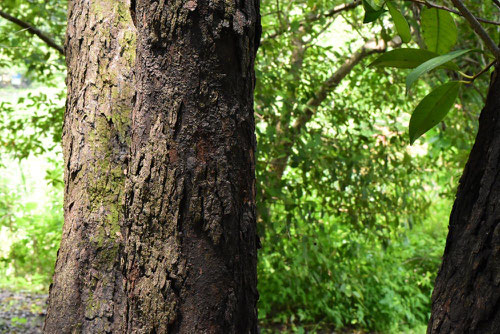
159,231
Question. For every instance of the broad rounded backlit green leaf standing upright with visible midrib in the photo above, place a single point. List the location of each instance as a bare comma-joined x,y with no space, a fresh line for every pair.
439,30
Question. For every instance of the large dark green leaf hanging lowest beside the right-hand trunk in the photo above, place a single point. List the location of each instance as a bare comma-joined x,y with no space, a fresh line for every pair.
432,109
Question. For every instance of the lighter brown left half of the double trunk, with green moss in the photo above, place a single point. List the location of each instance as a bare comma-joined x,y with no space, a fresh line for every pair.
87,290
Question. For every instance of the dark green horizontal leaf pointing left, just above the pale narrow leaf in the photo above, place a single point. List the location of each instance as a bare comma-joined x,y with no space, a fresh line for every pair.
408,58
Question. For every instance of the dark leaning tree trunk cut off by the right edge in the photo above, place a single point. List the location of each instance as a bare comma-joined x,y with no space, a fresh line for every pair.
466,297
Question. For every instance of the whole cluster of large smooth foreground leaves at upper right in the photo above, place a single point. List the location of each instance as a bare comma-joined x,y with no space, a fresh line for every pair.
439,33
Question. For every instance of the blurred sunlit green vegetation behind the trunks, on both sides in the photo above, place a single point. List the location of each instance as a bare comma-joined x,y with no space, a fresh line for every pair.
353,231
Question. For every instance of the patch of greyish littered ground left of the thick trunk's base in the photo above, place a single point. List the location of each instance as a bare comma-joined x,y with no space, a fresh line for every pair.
21,312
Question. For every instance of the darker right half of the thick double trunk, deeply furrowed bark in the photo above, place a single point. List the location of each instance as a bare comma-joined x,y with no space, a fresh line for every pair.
191,237
